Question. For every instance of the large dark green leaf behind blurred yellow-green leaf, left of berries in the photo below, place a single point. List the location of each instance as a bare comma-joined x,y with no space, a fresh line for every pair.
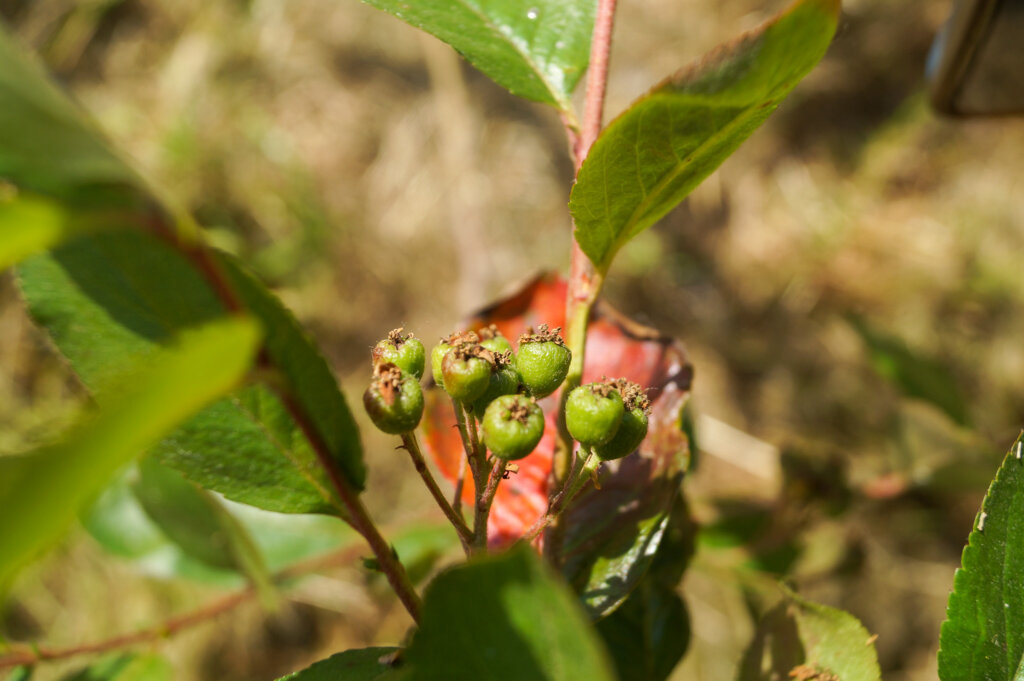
116,297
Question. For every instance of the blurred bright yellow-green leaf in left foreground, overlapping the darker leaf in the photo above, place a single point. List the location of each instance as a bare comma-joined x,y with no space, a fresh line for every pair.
46,490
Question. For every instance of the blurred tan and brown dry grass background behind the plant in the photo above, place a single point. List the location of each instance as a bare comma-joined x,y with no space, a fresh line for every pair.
849,286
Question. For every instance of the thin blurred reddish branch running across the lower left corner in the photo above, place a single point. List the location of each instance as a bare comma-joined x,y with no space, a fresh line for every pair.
22,656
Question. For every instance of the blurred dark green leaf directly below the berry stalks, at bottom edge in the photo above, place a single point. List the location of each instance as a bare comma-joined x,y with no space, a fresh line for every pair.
505,618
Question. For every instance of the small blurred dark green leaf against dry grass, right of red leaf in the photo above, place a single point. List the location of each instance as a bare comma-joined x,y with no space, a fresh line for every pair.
914,373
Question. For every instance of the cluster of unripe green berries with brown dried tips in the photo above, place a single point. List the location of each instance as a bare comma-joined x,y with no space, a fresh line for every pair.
499,389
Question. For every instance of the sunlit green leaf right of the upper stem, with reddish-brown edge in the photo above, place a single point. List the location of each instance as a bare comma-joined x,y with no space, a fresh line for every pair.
655,154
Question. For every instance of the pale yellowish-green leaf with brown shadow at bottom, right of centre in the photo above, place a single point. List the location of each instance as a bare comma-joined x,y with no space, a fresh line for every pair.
800,636
